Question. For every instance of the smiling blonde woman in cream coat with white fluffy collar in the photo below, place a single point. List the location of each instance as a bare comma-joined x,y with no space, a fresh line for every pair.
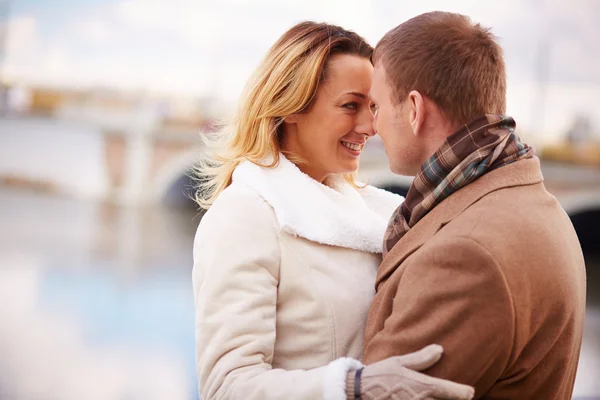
285,258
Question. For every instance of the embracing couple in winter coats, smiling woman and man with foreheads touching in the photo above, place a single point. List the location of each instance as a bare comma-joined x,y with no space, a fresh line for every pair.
311,285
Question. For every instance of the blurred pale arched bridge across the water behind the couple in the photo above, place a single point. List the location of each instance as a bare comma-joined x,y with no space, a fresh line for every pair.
139,164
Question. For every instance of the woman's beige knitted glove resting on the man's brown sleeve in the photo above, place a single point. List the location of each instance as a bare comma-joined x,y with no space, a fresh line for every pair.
398,378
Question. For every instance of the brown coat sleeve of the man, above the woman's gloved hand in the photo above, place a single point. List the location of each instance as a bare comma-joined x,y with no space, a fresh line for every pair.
453,294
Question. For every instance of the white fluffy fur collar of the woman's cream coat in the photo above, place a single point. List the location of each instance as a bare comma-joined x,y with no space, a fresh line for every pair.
335,214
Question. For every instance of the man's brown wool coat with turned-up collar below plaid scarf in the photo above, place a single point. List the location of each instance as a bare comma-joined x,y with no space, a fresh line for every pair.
495,274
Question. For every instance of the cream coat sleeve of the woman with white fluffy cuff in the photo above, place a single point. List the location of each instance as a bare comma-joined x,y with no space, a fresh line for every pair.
235,277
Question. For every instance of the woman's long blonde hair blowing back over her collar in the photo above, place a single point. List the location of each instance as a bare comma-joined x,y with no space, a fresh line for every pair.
285,83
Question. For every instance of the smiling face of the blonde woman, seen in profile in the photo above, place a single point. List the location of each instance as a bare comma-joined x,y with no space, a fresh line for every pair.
332,133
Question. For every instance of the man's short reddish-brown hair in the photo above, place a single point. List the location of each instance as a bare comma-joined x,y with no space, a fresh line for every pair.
446,57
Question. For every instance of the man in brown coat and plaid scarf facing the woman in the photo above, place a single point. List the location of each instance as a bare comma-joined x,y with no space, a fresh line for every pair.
480,258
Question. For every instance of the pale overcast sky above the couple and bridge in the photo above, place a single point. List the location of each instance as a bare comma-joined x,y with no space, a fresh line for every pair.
210,47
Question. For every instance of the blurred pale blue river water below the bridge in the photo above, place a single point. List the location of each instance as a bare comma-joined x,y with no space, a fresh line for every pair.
96,302
